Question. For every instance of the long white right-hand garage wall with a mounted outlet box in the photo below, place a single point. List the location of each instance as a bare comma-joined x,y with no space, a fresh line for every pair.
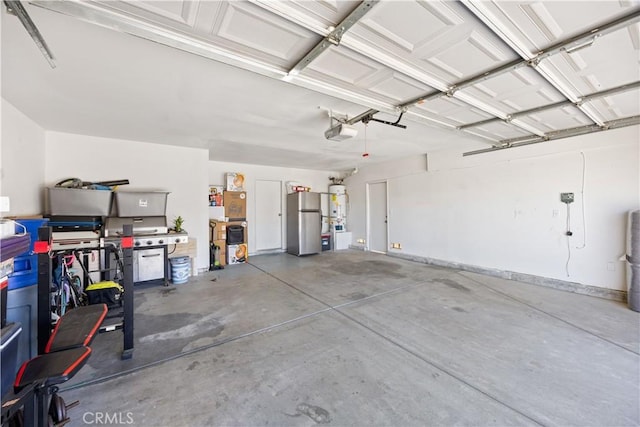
502,210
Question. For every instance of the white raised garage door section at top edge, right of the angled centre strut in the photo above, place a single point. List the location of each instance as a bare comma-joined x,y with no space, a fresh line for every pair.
441,39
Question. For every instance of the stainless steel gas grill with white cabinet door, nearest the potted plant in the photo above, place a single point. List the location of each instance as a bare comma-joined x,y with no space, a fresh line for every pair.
151,239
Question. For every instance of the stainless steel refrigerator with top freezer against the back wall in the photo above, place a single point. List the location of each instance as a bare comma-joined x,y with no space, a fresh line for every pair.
304,223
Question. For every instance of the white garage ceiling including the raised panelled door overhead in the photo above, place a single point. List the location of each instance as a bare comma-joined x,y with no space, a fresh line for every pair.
214,74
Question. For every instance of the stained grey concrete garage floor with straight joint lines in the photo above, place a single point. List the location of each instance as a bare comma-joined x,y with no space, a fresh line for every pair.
360,339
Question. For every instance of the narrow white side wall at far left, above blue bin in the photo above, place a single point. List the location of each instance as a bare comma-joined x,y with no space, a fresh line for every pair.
22,160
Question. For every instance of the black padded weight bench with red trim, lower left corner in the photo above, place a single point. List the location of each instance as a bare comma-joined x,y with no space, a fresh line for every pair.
34,401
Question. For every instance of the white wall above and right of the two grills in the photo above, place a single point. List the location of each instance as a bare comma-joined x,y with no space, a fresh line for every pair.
181,171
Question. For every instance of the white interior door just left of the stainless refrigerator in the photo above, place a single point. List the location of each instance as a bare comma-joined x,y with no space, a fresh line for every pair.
268,215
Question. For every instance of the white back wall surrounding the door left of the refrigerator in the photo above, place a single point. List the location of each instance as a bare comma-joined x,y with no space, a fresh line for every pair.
317,180
